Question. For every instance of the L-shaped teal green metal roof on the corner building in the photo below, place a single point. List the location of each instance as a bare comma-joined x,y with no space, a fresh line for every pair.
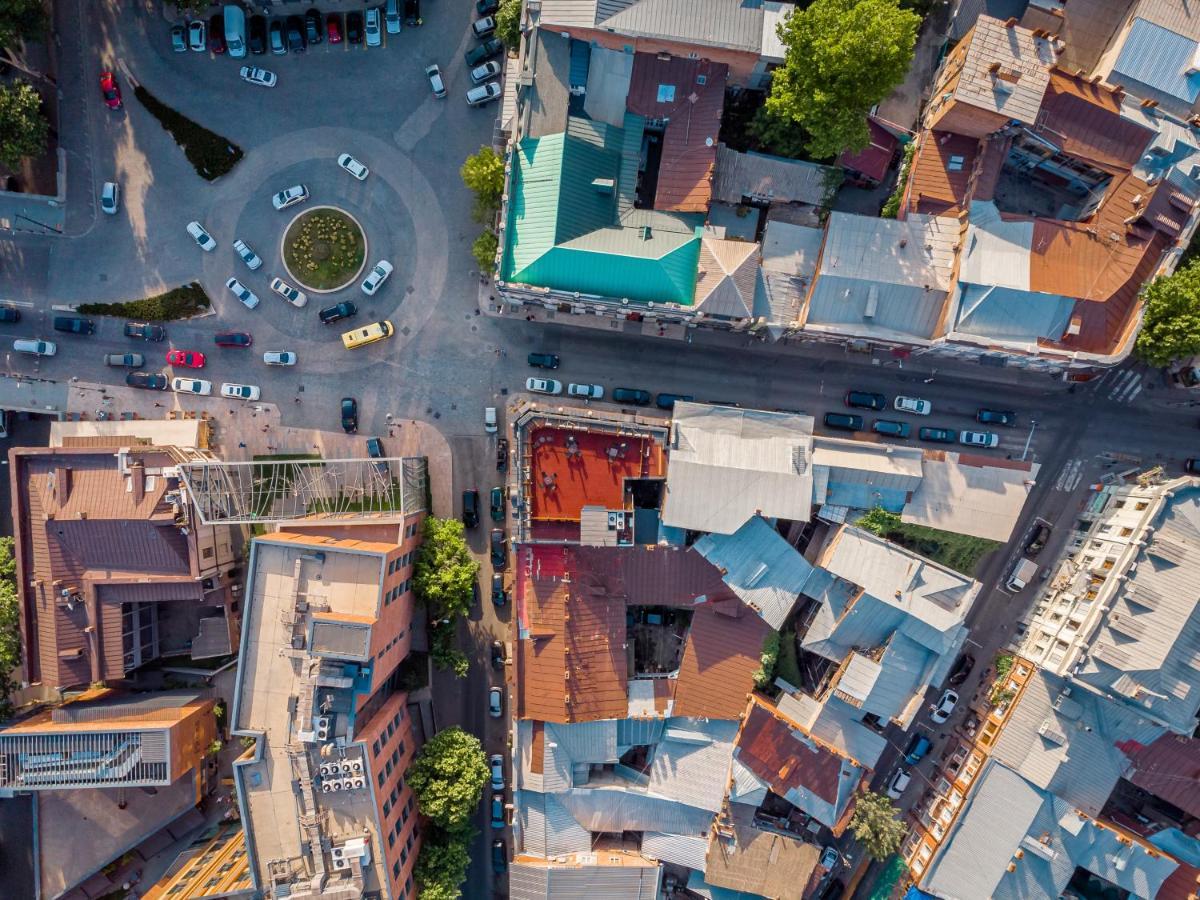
565,235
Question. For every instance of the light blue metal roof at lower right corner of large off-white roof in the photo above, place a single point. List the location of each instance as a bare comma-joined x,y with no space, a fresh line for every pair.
760,567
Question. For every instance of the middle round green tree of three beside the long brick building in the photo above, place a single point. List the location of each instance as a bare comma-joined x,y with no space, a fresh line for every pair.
448,777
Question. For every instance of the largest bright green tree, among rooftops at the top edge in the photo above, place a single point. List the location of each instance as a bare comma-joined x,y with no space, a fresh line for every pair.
843,57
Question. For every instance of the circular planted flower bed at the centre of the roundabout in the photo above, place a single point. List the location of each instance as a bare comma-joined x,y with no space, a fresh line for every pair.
325,249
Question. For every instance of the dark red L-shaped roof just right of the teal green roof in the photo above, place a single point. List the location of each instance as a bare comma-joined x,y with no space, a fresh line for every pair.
691,93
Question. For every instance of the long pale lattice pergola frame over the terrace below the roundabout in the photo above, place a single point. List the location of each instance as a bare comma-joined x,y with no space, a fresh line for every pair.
284,490
